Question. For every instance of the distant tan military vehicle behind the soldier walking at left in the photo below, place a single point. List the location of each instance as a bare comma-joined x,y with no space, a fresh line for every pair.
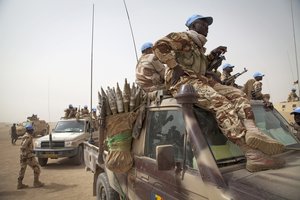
41,127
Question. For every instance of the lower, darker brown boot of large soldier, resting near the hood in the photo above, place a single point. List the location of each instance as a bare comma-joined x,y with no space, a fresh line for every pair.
258,161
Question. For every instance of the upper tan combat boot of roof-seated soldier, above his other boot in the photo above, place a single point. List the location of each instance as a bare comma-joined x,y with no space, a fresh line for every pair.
257,140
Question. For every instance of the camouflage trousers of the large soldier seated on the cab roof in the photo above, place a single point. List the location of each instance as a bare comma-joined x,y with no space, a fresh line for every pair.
226,112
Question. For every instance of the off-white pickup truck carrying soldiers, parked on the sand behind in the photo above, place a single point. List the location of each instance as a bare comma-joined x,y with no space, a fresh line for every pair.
65,140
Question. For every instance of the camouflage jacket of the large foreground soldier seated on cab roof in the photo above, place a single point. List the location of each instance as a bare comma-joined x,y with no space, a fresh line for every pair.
180,50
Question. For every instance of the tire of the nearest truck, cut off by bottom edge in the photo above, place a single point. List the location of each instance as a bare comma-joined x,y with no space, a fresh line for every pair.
103,190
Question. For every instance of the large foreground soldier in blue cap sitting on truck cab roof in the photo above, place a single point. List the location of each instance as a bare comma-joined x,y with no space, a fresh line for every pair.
184,54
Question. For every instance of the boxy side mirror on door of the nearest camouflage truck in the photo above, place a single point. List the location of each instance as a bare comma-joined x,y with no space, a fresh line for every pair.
165,157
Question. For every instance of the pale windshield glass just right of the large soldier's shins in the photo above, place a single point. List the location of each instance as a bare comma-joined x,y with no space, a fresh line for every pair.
273,124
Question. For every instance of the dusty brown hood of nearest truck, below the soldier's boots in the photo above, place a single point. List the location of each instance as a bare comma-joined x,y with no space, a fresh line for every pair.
281,183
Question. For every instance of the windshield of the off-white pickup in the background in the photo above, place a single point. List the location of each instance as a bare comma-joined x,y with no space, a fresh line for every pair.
69,126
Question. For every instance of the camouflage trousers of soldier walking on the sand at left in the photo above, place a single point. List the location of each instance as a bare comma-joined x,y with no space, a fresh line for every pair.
32,162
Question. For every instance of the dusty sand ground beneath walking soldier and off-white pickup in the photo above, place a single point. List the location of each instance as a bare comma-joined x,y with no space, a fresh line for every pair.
62,179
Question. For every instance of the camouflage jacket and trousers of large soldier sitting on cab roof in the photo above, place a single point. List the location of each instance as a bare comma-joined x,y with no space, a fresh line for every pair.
181,52
